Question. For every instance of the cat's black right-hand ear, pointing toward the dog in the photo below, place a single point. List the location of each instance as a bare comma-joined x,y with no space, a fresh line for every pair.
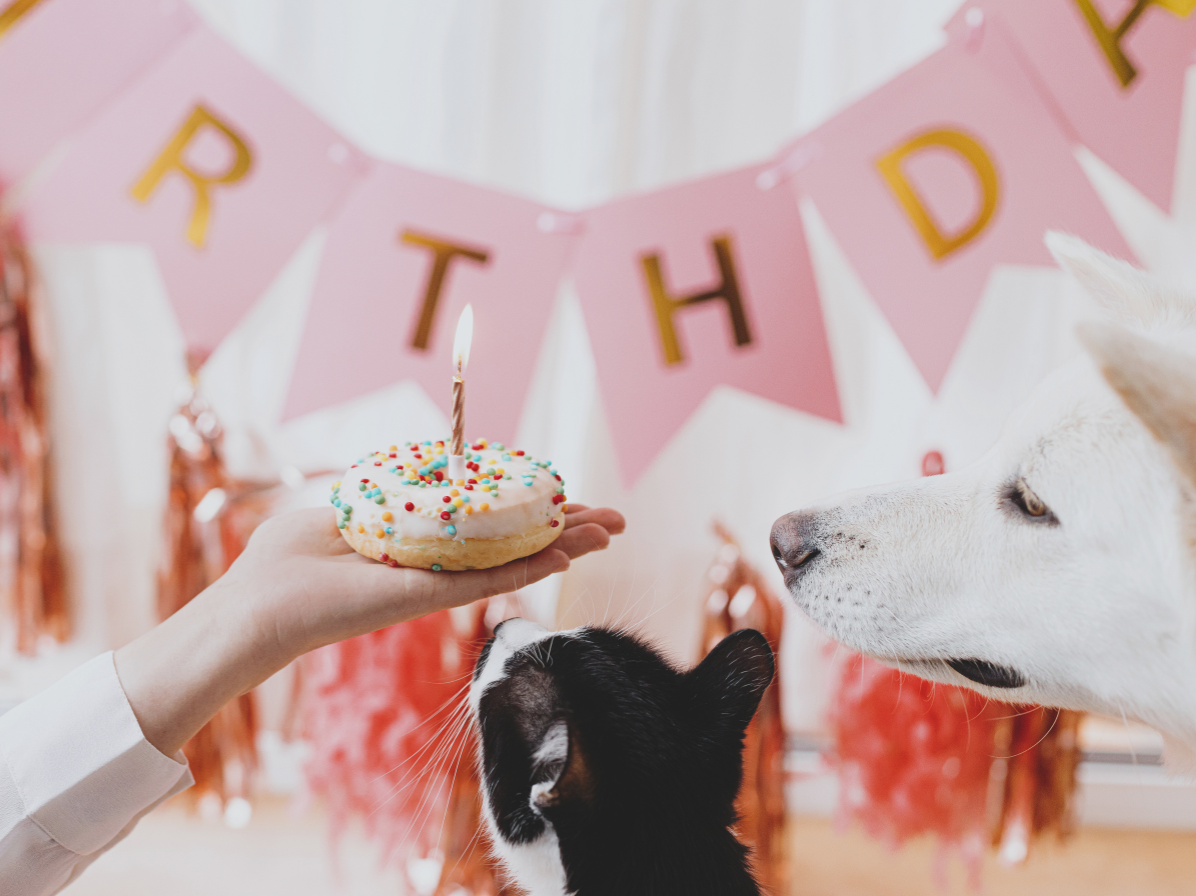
734,678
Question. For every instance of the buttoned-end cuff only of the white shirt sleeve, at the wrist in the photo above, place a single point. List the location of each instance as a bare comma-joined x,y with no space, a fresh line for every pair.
81,763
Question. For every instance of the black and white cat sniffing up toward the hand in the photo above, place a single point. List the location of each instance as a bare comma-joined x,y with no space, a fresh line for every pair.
607,772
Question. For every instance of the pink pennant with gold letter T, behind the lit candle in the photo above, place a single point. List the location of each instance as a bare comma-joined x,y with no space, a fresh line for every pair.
405,257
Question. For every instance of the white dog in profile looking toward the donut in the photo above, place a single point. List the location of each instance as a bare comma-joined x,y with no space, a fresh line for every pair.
1061,568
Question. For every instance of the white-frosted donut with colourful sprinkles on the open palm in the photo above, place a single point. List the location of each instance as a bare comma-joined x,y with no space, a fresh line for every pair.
400,507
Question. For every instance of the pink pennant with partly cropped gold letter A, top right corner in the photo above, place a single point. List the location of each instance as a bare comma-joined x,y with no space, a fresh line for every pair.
1113,71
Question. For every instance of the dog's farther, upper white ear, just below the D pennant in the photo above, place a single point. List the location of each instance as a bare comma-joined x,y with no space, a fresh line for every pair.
1126,294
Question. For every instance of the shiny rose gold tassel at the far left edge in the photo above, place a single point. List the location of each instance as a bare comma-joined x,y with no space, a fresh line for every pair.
32,582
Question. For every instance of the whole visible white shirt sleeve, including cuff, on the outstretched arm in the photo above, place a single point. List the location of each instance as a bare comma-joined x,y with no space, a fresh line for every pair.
76,777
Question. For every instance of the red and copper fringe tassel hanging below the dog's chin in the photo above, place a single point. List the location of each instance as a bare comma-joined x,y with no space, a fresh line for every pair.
918,758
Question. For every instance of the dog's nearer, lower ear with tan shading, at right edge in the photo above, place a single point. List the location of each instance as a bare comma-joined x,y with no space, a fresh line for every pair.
1157,382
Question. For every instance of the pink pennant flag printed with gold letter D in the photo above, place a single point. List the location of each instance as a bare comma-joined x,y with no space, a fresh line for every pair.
938,176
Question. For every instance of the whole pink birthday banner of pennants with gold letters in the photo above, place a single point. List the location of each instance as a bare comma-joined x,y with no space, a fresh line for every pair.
157,132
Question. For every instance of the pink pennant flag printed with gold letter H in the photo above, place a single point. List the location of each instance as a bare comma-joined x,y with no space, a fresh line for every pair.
697,287
